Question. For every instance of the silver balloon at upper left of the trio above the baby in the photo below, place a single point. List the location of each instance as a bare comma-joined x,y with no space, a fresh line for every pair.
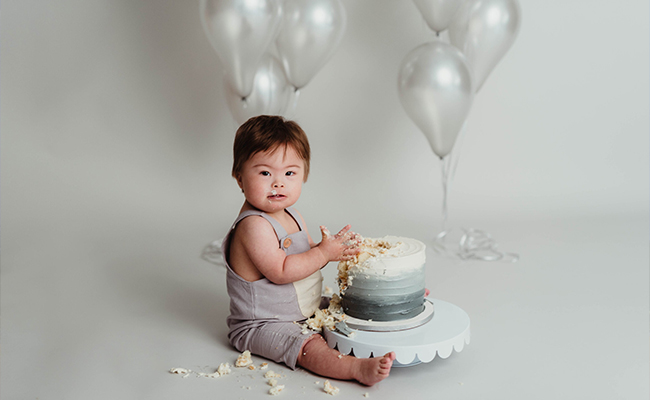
241,31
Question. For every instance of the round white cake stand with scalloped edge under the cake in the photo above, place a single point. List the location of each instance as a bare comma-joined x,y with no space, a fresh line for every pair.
446,331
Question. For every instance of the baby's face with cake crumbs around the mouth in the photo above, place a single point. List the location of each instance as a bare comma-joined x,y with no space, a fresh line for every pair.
272,181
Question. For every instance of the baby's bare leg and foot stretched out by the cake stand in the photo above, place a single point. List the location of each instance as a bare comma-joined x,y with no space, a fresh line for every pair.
317,357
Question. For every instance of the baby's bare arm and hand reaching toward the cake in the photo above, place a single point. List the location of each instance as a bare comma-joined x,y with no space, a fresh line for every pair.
261,246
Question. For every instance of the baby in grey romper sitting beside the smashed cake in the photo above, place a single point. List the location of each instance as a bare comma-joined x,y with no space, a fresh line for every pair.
274,266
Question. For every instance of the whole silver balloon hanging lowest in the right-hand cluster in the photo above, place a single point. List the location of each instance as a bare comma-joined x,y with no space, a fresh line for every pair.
435,88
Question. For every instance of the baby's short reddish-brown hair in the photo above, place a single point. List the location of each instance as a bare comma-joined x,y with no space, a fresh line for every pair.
268,132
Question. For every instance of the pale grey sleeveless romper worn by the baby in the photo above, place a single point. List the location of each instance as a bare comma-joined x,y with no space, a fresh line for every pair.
262,313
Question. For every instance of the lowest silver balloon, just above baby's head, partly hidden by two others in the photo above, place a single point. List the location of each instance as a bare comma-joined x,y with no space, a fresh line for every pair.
271,92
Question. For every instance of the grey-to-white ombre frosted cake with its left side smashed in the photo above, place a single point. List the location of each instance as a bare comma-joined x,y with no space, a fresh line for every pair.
385,281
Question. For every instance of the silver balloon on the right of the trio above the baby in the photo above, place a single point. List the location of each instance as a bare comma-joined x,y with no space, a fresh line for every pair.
310,33
